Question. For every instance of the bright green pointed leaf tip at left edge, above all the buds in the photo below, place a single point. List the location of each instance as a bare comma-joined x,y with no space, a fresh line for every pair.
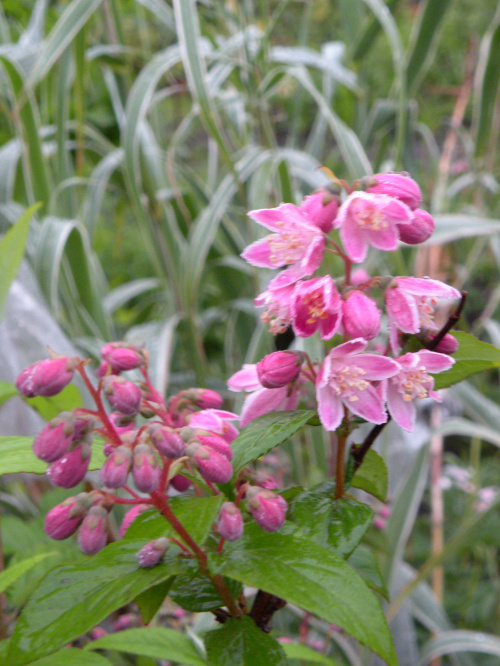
12,247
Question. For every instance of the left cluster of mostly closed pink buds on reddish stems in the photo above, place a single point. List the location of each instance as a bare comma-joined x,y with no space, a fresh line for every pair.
155,445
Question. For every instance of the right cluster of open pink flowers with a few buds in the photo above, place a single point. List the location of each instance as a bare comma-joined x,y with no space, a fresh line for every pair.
364,374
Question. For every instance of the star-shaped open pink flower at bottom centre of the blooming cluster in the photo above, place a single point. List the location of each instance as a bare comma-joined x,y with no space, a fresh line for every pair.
344,380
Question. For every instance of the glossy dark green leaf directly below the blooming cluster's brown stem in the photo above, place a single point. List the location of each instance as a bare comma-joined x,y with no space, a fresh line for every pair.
337,524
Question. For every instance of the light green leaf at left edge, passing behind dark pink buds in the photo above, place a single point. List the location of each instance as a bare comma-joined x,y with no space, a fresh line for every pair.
16,456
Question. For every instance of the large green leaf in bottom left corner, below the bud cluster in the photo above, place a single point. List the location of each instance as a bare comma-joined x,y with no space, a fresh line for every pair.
73,598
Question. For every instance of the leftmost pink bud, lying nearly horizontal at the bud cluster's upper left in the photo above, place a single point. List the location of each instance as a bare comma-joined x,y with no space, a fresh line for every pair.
46,378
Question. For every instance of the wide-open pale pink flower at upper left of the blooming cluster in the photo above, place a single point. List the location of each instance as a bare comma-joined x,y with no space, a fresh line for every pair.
298,242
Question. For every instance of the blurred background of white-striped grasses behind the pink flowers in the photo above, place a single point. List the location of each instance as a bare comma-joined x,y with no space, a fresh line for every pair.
147,129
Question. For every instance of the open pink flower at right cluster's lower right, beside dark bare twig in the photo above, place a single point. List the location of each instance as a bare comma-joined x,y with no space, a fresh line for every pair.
413,382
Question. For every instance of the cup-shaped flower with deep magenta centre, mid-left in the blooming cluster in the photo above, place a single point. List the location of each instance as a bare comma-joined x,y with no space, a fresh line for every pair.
316,304
